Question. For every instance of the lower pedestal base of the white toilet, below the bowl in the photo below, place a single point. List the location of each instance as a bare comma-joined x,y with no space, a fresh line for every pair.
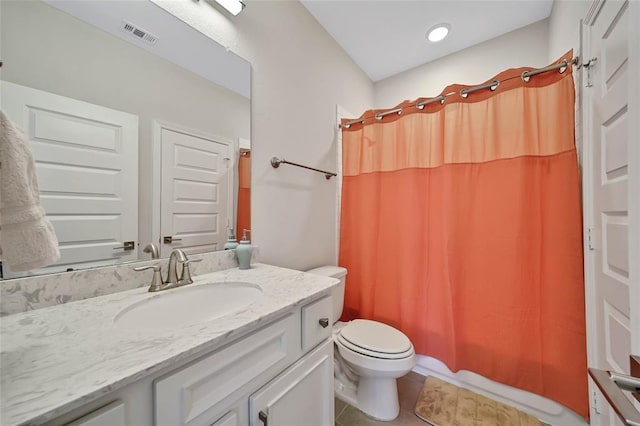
377,398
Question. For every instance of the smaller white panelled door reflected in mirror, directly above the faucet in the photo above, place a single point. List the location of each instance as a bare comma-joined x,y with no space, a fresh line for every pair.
195,194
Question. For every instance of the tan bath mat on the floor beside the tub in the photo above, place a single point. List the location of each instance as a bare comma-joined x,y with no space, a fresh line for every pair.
443,404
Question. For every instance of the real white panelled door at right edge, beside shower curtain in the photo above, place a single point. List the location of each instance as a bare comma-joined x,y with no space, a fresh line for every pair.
612,186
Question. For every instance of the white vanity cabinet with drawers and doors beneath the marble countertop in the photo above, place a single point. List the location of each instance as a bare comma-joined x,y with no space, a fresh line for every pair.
283,369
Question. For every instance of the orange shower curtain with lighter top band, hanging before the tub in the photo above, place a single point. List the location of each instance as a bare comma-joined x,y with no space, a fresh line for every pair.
461,226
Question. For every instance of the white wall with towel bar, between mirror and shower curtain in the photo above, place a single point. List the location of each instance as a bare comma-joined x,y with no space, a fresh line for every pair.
299,74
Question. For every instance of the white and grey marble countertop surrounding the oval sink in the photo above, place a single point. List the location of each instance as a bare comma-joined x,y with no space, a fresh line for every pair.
56,359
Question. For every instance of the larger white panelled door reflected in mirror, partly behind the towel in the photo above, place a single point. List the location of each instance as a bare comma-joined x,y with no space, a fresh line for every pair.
87,167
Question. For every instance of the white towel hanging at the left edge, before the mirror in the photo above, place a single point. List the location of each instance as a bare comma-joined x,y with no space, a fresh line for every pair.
27,239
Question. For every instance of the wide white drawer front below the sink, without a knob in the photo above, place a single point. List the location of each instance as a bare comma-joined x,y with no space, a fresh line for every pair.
200,393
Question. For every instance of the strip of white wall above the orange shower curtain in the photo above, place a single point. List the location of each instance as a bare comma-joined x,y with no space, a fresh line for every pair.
523,47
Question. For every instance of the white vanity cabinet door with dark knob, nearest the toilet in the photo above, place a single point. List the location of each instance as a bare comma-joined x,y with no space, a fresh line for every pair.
302,395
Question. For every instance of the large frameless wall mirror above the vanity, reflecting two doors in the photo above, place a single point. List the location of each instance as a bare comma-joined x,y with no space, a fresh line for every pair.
138,124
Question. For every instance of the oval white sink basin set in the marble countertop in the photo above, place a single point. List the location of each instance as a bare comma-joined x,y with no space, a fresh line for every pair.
188,305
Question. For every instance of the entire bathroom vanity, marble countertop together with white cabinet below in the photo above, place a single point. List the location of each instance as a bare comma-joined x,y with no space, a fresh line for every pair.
268,363
